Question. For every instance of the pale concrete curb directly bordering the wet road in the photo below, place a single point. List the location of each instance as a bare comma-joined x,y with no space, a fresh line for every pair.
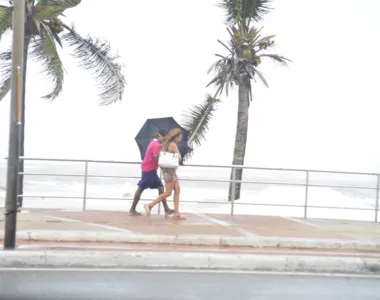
189,260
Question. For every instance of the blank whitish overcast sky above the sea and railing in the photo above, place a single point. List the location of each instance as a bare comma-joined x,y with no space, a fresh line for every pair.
321,112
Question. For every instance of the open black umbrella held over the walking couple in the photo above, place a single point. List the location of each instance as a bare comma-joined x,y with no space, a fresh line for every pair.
153,126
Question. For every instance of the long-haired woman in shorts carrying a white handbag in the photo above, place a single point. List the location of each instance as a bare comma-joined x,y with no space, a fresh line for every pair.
169,144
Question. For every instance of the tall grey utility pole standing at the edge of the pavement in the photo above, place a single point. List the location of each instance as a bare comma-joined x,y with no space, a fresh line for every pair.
18,27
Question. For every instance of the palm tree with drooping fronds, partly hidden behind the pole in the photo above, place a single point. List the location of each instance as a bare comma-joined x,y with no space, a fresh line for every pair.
45,31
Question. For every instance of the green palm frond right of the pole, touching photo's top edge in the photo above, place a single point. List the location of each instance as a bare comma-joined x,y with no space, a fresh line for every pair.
47,9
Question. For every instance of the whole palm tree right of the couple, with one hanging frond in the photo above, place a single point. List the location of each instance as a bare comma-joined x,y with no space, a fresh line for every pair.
246,49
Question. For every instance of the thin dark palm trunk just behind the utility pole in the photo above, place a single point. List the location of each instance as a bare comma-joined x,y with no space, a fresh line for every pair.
20,186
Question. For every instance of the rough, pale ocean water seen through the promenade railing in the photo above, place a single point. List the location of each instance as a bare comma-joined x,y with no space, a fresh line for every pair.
212,196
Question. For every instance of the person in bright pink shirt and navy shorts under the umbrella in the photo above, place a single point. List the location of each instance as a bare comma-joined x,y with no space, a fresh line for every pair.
149,177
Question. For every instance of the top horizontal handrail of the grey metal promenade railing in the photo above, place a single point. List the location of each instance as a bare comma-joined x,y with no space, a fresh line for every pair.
205,166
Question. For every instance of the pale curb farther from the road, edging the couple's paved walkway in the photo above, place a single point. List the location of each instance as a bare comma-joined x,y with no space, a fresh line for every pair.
195,240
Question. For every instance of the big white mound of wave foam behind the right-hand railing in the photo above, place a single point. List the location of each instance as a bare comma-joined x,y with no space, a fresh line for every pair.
280,196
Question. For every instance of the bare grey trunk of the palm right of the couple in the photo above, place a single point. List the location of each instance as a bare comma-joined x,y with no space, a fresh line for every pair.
240,139
